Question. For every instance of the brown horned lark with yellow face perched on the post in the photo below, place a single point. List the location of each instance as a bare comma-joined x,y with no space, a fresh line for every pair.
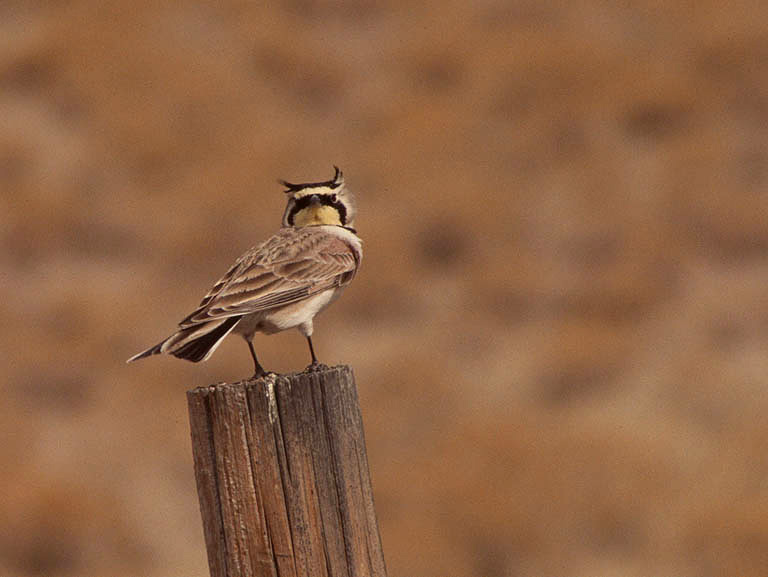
281,283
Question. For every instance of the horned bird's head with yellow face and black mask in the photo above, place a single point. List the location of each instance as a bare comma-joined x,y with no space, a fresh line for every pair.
316,203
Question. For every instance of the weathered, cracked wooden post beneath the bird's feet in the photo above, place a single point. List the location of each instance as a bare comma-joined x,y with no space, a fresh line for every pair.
282,476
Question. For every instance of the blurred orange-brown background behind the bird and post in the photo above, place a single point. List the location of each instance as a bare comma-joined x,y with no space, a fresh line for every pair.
560,331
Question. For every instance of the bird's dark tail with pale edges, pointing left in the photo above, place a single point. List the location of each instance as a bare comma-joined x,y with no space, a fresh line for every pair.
194,343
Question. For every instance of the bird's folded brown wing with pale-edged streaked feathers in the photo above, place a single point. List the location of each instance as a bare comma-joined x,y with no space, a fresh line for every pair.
291,266
